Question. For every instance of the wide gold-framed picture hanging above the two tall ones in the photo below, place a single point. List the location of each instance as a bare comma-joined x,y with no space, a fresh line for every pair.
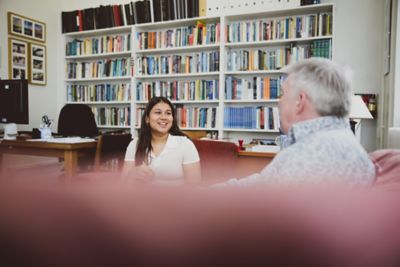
25,27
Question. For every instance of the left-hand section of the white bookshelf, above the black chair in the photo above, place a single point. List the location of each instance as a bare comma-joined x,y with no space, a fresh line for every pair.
98,73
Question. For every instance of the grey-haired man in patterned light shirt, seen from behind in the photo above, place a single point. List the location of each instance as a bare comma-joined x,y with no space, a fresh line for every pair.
313,109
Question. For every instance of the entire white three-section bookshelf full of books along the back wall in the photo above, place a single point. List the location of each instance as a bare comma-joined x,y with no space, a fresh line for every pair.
222,73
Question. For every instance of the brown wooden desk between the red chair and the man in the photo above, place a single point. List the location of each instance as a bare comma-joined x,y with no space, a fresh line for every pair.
252,162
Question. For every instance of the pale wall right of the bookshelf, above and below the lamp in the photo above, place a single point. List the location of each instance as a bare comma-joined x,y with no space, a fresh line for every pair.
359,45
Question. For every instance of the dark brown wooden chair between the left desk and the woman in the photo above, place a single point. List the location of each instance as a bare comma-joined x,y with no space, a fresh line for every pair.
110,152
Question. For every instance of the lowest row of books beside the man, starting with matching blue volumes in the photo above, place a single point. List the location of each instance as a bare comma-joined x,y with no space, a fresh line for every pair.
256,118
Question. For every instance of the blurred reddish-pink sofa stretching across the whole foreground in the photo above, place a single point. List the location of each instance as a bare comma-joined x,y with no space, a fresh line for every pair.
123,225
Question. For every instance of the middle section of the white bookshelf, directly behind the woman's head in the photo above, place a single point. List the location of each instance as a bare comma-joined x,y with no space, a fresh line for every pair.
180,59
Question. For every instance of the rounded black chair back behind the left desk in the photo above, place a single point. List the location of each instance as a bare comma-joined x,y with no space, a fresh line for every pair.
77,120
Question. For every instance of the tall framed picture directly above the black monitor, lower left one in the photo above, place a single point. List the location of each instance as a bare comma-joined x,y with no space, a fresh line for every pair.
18,59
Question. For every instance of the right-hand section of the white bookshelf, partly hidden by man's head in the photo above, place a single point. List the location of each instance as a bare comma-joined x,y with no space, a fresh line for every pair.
257,46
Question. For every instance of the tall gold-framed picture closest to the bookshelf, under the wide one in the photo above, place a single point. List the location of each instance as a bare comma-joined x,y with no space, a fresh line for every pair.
37,64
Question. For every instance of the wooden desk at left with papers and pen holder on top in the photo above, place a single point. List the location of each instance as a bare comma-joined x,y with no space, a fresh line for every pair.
68,152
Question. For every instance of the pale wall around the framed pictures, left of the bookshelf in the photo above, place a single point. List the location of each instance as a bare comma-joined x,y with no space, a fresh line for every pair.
42,99
